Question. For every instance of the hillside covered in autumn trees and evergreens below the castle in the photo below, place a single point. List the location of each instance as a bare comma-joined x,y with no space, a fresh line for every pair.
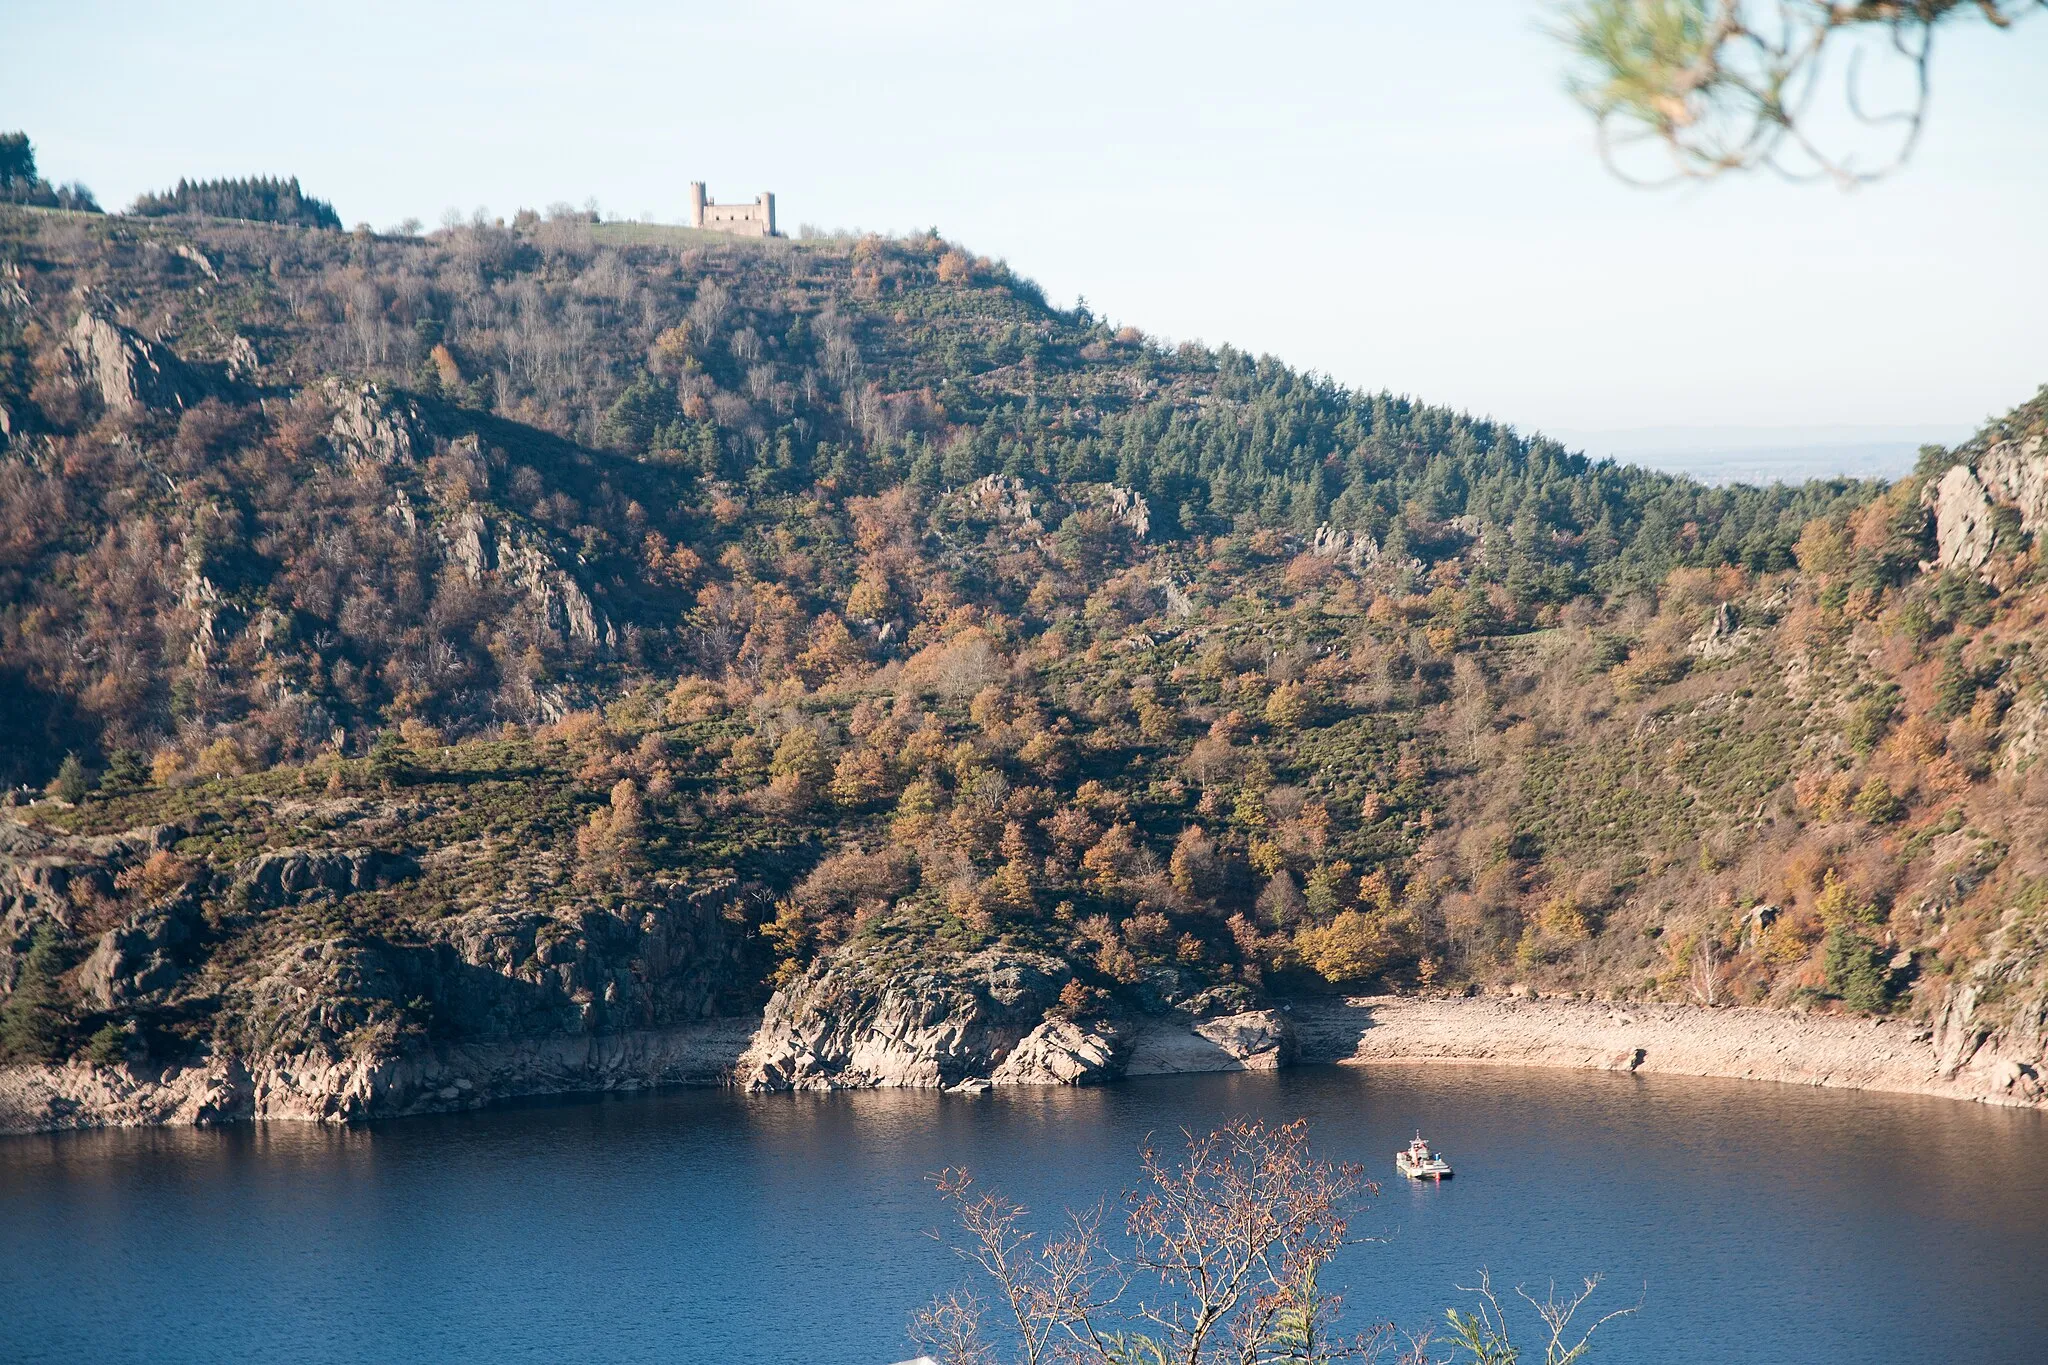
839,597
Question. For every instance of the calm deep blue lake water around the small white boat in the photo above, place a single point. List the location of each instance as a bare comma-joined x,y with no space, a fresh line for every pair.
1754,1223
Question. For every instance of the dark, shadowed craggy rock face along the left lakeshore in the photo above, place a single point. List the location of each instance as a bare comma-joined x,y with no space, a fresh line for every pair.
357,1024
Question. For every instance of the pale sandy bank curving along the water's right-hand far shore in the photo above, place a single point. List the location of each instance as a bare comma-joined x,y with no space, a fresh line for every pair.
1684,1041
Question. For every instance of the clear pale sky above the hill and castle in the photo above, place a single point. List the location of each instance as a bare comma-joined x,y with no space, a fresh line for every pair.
1392,193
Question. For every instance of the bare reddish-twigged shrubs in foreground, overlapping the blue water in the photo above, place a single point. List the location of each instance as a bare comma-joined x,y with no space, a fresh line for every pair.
1220,1262
